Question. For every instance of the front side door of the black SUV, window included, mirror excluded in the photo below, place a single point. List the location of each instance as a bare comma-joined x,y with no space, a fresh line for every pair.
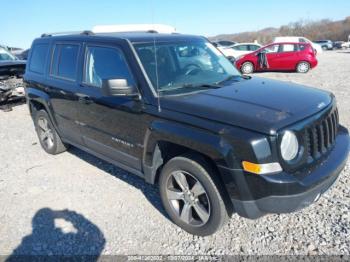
111,126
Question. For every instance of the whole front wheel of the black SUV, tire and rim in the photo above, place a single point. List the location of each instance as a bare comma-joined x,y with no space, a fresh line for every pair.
200,209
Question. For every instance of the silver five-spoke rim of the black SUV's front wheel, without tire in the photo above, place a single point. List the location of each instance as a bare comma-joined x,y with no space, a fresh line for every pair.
188,198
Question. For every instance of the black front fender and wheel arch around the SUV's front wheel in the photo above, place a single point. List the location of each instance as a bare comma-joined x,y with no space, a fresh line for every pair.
167,140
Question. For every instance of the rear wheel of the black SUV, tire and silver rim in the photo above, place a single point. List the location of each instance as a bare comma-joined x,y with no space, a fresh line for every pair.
48,137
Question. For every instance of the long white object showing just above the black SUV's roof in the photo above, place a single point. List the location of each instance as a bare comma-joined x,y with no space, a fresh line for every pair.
159,28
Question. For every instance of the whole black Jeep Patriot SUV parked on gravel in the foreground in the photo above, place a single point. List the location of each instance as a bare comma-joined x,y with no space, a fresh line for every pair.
173,110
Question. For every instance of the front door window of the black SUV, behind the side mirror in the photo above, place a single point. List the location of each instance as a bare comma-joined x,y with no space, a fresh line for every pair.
105,63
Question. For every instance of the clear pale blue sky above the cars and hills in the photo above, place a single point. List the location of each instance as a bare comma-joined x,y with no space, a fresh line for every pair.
22,21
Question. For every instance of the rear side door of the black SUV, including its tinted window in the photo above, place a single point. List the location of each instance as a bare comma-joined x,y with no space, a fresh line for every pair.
62,88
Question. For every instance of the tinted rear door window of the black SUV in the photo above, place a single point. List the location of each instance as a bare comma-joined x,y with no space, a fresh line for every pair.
65,58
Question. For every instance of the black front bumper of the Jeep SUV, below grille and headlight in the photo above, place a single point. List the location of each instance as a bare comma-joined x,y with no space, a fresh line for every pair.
255,195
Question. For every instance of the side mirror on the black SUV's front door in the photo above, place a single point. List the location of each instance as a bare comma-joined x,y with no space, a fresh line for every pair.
118,87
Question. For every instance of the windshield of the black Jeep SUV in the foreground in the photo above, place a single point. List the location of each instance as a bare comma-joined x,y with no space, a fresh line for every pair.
184,66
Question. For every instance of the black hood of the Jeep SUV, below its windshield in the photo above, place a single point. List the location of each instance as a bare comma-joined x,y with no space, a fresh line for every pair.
257,104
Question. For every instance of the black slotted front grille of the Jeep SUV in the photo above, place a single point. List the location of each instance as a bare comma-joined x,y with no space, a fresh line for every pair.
320,137
